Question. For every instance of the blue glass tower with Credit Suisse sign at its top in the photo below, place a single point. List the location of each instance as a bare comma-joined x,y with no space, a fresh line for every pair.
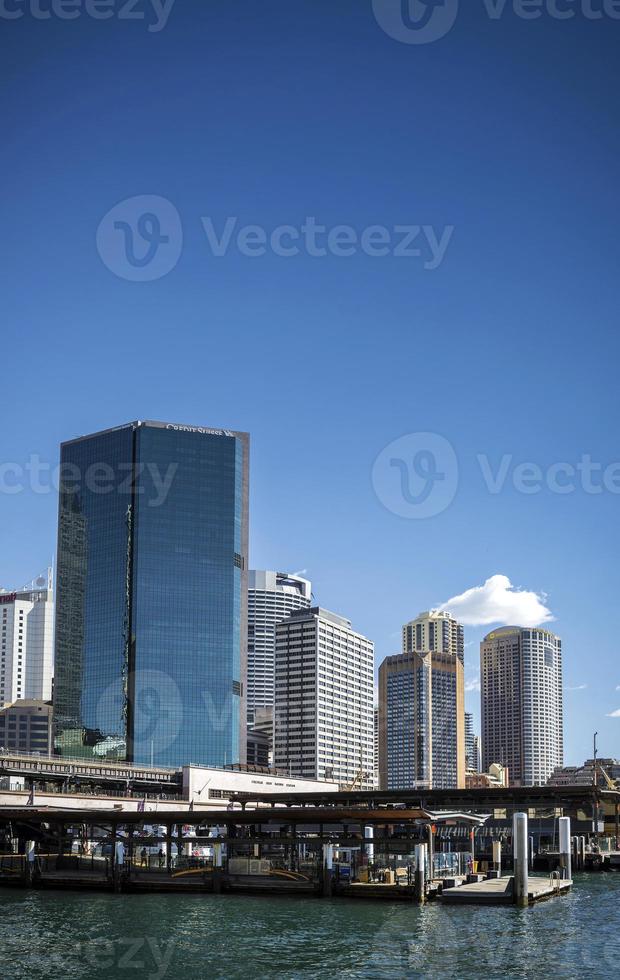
152,595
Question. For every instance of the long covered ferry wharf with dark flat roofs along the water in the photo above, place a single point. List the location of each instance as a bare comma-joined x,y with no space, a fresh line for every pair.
360,848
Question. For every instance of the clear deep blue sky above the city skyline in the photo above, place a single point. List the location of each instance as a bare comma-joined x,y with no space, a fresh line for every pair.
506,129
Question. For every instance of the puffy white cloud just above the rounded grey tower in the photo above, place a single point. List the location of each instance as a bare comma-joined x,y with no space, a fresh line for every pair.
499,601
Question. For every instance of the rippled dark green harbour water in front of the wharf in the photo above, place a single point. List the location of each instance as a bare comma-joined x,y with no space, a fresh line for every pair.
68,935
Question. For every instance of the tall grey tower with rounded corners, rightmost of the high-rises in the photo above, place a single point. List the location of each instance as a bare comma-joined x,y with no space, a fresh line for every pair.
522,703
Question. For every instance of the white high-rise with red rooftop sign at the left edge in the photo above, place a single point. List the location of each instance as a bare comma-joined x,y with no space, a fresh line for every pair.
26,644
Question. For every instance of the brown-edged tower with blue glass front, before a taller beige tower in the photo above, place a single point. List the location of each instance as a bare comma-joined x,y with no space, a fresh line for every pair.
421,721
